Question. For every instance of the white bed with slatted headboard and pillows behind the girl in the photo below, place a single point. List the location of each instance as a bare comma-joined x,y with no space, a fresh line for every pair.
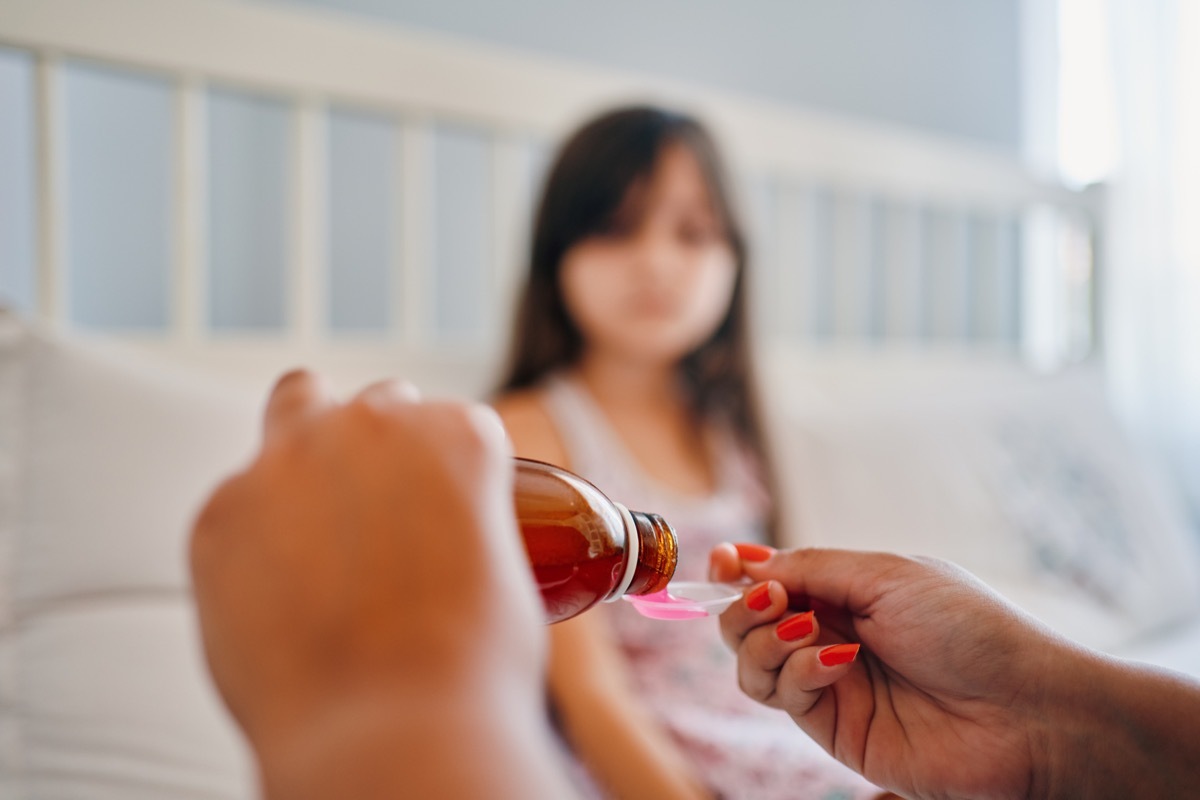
926,311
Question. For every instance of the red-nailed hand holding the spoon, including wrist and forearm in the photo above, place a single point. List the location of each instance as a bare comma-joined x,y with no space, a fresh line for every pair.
955,693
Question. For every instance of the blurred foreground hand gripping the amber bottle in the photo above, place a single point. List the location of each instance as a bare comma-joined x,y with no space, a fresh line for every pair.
365,564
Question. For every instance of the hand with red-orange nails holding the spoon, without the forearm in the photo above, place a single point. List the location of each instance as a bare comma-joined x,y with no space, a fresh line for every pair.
946,697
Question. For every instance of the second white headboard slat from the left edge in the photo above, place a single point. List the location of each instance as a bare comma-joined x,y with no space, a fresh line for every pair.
189,317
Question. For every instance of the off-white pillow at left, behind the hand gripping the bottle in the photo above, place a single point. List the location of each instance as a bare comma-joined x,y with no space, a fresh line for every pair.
104,461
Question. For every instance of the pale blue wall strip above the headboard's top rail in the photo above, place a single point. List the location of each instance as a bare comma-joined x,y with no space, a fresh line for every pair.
947,67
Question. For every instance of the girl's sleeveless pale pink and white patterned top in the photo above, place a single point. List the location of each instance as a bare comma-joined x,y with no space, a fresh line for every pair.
682,671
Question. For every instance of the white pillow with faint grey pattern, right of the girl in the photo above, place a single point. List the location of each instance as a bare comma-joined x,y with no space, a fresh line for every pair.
1025,480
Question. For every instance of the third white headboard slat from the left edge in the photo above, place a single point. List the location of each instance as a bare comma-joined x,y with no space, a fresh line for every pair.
310,222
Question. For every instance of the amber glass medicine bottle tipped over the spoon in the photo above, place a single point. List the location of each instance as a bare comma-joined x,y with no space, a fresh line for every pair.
584,548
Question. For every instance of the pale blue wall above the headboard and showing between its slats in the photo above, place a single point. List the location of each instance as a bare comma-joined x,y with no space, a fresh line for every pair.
943,65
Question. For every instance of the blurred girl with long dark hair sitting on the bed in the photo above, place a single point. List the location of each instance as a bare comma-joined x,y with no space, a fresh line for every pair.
632,366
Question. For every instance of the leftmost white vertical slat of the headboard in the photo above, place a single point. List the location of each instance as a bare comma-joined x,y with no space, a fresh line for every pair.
52,209
